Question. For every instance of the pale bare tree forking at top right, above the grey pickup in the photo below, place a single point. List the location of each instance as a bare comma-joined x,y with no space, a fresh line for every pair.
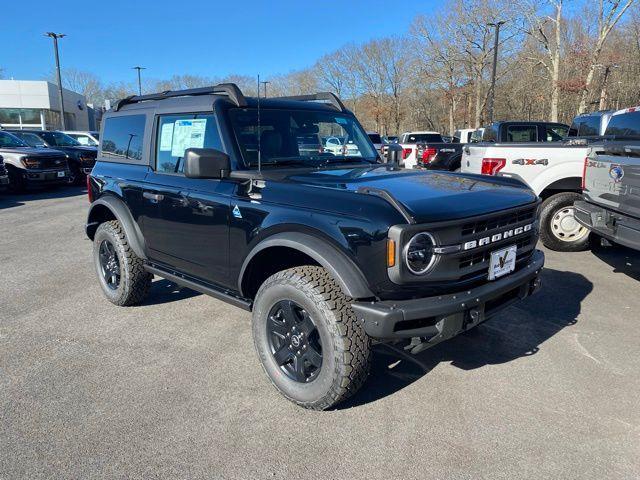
609,14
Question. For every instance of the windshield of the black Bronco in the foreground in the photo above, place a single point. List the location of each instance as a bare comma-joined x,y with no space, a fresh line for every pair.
288,137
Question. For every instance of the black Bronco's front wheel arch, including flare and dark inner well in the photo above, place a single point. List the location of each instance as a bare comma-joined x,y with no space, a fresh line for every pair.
300,249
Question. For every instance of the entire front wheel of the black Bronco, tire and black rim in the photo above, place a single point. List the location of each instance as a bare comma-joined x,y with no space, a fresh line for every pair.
308,339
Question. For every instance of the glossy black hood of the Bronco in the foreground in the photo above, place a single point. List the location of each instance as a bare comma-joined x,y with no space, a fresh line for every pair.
427,195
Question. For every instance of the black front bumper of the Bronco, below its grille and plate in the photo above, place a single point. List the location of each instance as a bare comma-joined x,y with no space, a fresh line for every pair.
442,317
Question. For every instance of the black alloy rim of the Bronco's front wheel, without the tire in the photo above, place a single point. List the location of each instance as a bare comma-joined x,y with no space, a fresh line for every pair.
294,341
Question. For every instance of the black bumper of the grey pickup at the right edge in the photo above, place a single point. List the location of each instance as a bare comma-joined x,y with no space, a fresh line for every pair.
612,225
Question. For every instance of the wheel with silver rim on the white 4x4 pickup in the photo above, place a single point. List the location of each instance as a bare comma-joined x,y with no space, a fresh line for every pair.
559,229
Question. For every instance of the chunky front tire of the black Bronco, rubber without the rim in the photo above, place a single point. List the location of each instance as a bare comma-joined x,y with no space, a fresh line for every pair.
346,354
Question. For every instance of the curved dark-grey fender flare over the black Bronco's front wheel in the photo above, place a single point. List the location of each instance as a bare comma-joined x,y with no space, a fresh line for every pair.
338,264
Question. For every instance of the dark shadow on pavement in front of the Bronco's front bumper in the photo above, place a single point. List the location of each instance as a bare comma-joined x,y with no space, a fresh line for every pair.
516,332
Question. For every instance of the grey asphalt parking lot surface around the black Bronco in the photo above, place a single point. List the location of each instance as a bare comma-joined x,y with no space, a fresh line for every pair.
173,389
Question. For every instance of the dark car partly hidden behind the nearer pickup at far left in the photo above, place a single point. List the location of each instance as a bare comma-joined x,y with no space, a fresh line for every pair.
81,158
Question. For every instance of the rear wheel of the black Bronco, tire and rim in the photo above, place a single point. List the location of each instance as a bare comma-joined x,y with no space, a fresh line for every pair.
120,271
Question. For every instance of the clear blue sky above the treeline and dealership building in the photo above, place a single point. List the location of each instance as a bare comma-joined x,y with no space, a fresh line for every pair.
209,38
